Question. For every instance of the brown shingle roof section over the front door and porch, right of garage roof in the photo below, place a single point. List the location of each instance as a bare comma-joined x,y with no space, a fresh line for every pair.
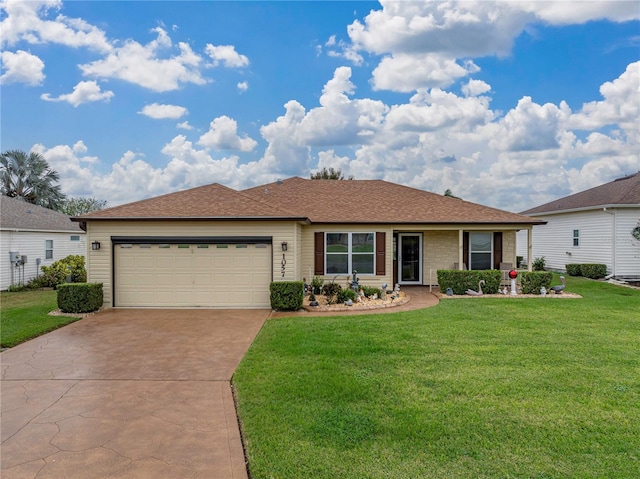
375,201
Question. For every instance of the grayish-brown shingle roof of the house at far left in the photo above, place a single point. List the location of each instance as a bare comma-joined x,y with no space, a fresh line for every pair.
20,215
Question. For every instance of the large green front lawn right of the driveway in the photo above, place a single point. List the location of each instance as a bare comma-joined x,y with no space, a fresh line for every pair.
482,388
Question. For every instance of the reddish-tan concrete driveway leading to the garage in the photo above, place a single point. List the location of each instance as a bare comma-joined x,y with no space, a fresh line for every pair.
127,394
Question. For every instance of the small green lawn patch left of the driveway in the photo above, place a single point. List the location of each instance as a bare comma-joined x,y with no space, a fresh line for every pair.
23,316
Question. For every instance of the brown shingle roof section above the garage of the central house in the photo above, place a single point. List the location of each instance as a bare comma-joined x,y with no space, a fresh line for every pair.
213,201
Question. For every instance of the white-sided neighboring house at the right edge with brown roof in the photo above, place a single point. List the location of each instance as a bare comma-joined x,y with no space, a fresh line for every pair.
594,226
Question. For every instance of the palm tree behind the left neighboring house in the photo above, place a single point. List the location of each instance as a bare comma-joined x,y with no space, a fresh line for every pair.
28,176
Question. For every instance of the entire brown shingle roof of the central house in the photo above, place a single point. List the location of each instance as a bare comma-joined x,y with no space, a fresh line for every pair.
319,201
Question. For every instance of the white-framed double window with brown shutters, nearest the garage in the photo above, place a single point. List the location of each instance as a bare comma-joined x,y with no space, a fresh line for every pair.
345,252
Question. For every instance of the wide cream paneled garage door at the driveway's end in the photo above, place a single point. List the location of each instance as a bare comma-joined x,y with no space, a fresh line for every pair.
186,275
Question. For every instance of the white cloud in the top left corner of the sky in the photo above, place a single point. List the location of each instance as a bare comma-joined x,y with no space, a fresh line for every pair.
26,21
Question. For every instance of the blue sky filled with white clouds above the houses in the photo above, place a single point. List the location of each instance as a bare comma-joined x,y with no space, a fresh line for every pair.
510,104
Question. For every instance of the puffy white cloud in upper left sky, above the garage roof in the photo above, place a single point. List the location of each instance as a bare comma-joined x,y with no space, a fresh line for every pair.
143,65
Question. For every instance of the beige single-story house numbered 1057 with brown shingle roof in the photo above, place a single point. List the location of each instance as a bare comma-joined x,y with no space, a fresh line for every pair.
217,247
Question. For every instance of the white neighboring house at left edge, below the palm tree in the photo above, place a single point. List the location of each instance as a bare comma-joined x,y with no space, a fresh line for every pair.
35,234
